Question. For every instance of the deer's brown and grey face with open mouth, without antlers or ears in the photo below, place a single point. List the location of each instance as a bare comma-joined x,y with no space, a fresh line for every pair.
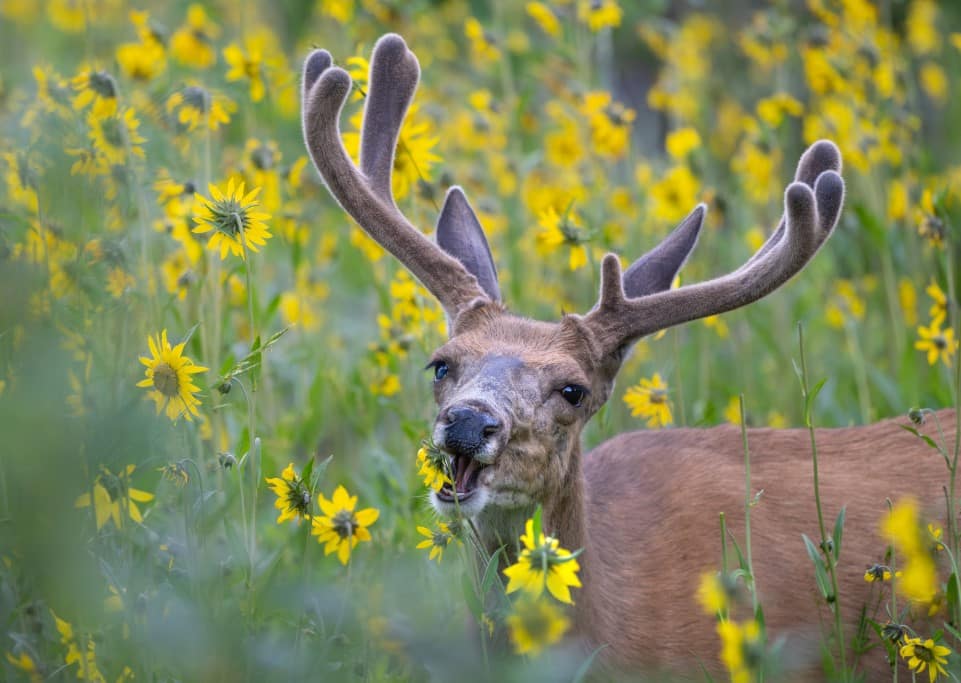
513,396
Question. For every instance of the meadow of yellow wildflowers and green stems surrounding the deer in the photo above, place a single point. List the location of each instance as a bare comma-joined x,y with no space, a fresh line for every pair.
215,419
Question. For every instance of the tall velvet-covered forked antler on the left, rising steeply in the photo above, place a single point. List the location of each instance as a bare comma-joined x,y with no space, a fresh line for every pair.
366,195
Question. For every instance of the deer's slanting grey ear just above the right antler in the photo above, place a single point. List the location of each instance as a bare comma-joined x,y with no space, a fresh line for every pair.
656,269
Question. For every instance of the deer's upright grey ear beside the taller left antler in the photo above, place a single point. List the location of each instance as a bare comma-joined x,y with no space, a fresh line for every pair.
459,233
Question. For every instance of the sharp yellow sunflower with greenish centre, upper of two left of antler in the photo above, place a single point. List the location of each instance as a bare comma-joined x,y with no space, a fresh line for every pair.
233,217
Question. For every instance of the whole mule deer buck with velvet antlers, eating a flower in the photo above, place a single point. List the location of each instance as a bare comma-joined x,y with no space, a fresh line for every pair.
515,393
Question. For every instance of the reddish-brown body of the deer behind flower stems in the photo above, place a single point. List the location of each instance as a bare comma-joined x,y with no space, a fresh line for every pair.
654,499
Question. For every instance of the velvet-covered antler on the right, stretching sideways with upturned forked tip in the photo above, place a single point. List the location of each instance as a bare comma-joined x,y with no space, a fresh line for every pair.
810,215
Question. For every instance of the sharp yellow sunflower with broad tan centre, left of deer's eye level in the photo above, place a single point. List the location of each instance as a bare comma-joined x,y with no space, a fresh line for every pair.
168,378
